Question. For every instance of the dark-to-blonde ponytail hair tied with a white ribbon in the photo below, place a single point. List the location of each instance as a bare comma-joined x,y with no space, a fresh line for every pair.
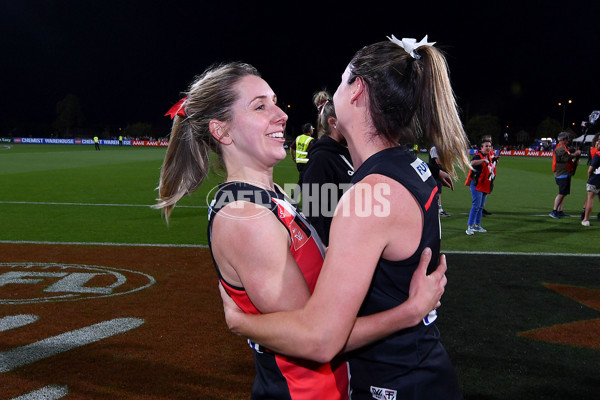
411,98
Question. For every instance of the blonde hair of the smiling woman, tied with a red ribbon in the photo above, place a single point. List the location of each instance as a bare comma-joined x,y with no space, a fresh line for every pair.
186,162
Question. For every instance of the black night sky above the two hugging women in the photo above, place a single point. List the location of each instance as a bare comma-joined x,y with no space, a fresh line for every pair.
127,61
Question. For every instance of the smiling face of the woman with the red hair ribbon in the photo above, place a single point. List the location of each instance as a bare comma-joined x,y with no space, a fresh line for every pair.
256,131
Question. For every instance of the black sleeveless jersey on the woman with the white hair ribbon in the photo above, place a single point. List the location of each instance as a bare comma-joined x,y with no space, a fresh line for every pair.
411,363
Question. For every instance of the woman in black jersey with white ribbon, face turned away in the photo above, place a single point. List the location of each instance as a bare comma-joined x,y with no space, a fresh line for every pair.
392,94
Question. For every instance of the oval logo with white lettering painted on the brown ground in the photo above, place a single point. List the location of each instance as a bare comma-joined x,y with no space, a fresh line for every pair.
23,283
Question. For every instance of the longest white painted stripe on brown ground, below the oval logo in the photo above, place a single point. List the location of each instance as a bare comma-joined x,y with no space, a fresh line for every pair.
52,346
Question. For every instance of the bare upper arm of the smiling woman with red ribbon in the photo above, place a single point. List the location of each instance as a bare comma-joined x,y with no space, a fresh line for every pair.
262,264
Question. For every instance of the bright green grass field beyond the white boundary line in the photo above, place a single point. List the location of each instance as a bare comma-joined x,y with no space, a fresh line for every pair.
56,193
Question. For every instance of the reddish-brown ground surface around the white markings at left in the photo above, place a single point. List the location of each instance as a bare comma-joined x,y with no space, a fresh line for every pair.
183,349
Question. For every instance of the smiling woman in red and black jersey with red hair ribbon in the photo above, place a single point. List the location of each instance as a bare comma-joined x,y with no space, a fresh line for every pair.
267,256
